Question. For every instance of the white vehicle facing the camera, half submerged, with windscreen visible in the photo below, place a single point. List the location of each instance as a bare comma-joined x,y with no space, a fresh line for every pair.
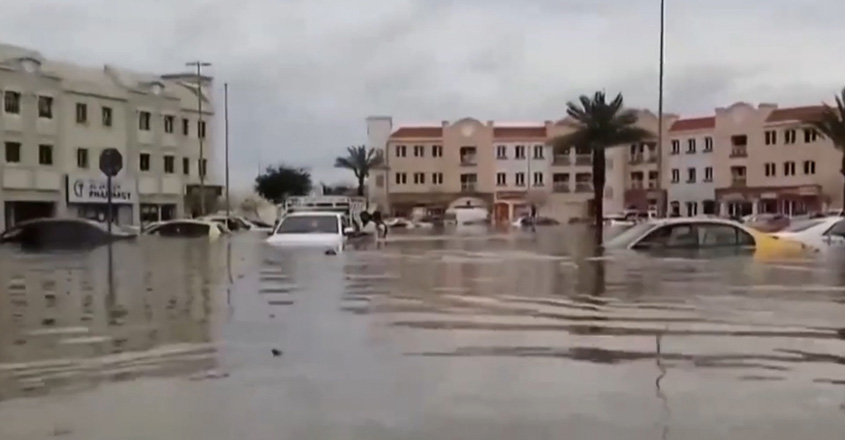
311,229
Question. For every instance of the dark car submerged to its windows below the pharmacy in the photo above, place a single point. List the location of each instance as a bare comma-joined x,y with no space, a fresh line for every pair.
63,233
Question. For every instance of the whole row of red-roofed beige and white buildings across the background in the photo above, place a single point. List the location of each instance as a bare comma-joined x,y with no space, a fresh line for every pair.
739,161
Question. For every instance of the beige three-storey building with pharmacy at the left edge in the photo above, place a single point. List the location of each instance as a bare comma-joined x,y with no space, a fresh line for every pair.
56,119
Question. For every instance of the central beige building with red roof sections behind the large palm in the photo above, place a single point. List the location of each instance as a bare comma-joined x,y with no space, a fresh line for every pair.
503,167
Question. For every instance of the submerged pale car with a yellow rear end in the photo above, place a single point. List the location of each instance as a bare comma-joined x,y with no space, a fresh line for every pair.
703,234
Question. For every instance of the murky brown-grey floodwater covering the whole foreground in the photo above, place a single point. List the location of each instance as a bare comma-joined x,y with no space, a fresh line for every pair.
470,337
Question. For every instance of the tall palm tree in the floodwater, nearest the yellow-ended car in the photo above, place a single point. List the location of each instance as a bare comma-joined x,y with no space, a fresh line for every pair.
598,125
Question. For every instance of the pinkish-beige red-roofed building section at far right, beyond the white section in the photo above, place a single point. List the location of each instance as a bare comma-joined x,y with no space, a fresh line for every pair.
767,160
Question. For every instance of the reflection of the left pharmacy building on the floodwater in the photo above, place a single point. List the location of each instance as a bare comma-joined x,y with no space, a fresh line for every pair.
73,321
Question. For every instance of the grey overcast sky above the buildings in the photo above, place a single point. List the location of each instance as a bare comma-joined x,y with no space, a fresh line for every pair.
304,74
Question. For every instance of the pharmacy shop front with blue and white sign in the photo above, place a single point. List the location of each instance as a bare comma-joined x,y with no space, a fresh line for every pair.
87,197
